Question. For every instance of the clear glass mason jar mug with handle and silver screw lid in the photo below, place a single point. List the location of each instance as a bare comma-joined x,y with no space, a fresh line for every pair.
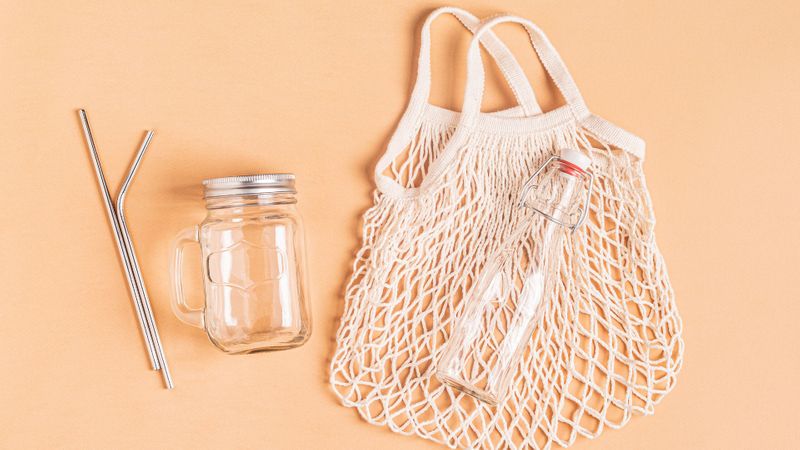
254,266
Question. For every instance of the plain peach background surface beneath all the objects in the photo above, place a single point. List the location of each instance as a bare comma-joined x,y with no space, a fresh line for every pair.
316,88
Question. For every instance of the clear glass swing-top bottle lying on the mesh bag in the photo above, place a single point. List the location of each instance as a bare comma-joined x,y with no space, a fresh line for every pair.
505,304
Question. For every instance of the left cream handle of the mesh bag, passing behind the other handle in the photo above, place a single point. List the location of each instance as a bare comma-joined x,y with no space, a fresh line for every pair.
509,66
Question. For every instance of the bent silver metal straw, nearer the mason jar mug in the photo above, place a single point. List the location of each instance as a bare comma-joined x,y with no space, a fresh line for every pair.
137,272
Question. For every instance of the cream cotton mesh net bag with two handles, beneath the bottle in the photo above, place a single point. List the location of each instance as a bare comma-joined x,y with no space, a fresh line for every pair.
609,342
